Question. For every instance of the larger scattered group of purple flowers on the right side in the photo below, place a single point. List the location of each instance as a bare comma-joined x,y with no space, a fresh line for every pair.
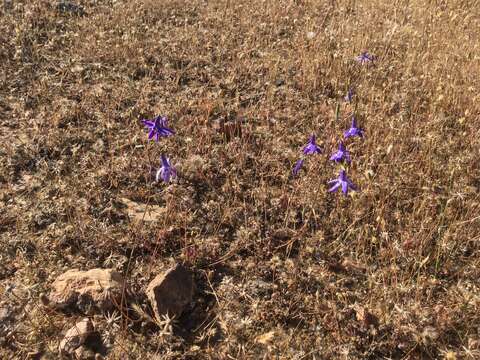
342,155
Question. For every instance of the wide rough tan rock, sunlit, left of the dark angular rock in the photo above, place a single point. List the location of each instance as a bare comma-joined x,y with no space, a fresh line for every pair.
100,288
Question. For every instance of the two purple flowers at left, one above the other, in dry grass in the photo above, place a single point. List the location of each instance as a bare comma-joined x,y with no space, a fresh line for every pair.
158,128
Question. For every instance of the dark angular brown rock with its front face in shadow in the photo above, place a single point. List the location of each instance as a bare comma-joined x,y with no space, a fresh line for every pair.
171,291
